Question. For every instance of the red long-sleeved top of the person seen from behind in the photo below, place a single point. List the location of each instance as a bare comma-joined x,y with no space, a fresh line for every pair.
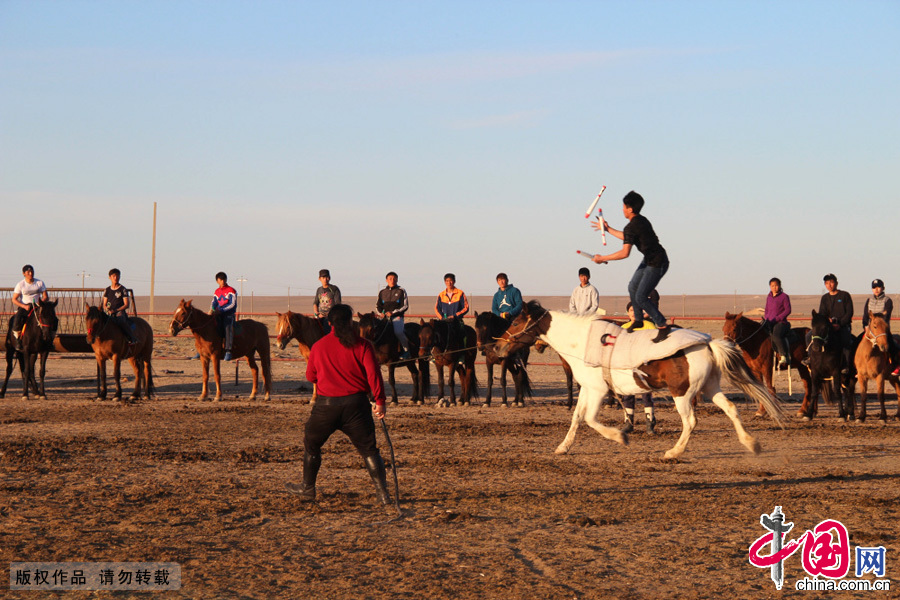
340,371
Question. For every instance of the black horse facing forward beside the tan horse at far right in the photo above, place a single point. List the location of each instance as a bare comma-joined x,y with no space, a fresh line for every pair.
825,358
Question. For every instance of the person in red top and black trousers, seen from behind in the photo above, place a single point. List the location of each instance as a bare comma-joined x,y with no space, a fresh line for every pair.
343,367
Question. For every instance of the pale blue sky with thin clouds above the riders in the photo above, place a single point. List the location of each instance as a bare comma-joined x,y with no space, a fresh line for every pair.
279,138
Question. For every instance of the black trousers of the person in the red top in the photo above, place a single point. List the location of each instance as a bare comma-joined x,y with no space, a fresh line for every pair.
350,414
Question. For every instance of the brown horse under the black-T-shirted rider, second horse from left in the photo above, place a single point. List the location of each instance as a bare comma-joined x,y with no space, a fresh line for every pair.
110,343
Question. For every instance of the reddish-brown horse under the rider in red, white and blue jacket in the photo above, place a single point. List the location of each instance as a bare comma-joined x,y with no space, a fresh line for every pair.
250,337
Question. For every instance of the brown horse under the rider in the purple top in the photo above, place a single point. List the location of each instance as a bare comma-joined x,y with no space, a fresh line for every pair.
759,352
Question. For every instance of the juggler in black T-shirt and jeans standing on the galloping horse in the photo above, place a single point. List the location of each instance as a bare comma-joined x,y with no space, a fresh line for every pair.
639,233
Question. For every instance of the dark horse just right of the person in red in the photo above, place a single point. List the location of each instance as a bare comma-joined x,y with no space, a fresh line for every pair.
387,352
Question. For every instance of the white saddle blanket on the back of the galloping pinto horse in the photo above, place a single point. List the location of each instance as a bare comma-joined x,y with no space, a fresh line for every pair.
611,347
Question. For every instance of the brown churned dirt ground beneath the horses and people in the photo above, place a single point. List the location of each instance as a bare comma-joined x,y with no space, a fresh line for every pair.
489,511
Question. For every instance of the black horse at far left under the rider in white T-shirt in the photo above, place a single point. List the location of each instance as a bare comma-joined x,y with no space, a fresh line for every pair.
37,340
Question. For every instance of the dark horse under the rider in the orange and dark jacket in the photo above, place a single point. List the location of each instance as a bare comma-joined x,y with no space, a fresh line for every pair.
451,345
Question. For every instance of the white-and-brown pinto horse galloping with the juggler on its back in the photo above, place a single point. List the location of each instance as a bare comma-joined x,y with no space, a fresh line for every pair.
693,370
